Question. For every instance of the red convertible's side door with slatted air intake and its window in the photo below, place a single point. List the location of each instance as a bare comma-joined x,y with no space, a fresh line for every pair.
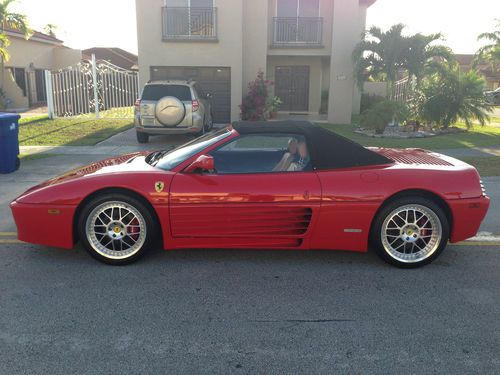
245,203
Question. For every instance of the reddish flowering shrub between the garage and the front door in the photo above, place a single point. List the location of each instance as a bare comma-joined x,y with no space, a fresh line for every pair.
255,105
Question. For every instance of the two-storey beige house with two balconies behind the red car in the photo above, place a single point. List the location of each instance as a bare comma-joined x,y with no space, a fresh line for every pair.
305,46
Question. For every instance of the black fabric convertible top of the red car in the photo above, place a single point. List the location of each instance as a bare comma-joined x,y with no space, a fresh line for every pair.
328,150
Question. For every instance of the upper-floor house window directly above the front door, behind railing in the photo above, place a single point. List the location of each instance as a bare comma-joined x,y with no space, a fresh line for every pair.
297,22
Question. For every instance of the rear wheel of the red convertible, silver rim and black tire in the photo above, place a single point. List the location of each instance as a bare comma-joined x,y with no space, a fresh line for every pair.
410,232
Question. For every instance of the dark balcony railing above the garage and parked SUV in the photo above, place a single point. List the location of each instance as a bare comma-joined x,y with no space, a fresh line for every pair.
189,23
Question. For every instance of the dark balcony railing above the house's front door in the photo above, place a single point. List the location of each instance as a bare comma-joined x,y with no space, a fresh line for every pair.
297,32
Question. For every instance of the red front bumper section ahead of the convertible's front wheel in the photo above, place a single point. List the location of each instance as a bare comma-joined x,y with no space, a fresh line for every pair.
46,225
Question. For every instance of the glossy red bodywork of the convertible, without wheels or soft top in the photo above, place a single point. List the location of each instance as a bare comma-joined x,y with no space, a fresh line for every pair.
328,209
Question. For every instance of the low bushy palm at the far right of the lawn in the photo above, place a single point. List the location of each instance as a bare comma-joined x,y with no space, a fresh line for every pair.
449,95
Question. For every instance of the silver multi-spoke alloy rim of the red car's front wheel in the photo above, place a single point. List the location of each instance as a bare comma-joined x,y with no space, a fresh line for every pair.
116,230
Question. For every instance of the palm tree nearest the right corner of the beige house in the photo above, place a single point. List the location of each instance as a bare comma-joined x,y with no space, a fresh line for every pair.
380,55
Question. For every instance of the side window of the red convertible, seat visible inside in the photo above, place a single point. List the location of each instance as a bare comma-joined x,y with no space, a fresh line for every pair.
263,153
